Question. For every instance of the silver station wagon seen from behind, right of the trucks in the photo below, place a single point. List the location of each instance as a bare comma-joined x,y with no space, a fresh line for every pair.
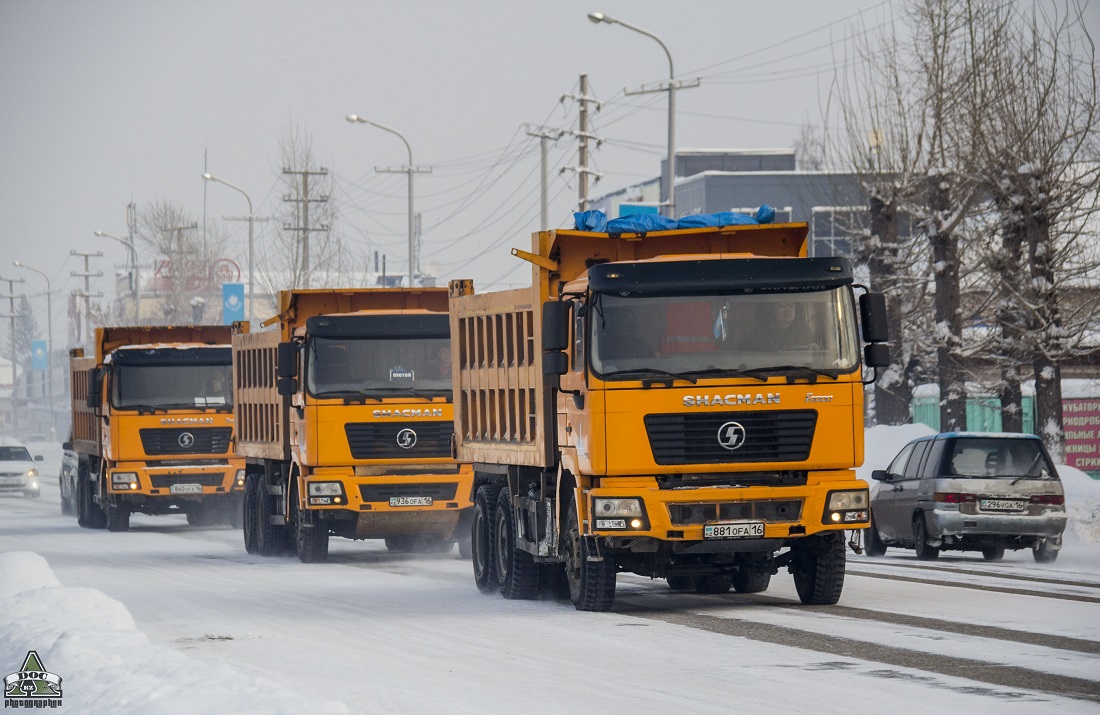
970,492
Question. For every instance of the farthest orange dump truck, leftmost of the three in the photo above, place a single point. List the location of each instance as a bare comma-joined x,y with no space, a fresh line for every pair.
153,426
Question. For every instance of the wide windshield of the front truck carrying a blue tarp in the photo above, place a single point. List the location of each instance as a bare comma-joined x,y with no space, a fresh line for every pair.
703,336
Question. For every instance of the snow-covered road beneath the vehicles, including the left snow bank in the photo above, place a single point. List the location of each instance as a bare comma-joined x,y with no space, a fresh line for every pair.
172,619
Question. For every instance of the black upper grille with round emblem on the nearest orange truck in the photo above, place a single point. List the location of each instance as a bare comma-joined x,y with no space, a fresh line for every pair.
692,438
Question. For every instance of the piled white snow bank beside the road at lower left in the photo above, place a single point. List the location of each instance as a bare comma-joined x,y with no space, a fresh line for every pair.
107,666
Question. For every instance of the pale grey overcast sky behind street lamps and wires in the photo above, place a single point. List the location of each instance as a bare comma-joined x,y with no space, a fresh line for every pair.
112,102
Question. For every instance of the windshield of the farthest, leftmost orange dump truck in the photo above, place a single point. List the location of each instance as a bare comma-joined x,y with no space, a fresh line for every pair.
172,387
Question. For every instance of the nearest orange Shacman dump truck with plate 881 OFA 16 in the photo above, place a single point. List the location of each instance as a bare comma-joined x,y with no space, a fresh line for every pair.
679,404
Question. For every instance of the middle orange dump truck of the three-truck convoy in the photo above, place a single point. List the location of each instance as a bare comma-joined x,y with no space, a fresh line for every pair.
346,416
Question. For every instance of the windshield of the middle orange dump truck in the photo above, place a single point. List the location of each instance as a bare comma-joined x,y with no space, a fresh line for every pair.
379,368
